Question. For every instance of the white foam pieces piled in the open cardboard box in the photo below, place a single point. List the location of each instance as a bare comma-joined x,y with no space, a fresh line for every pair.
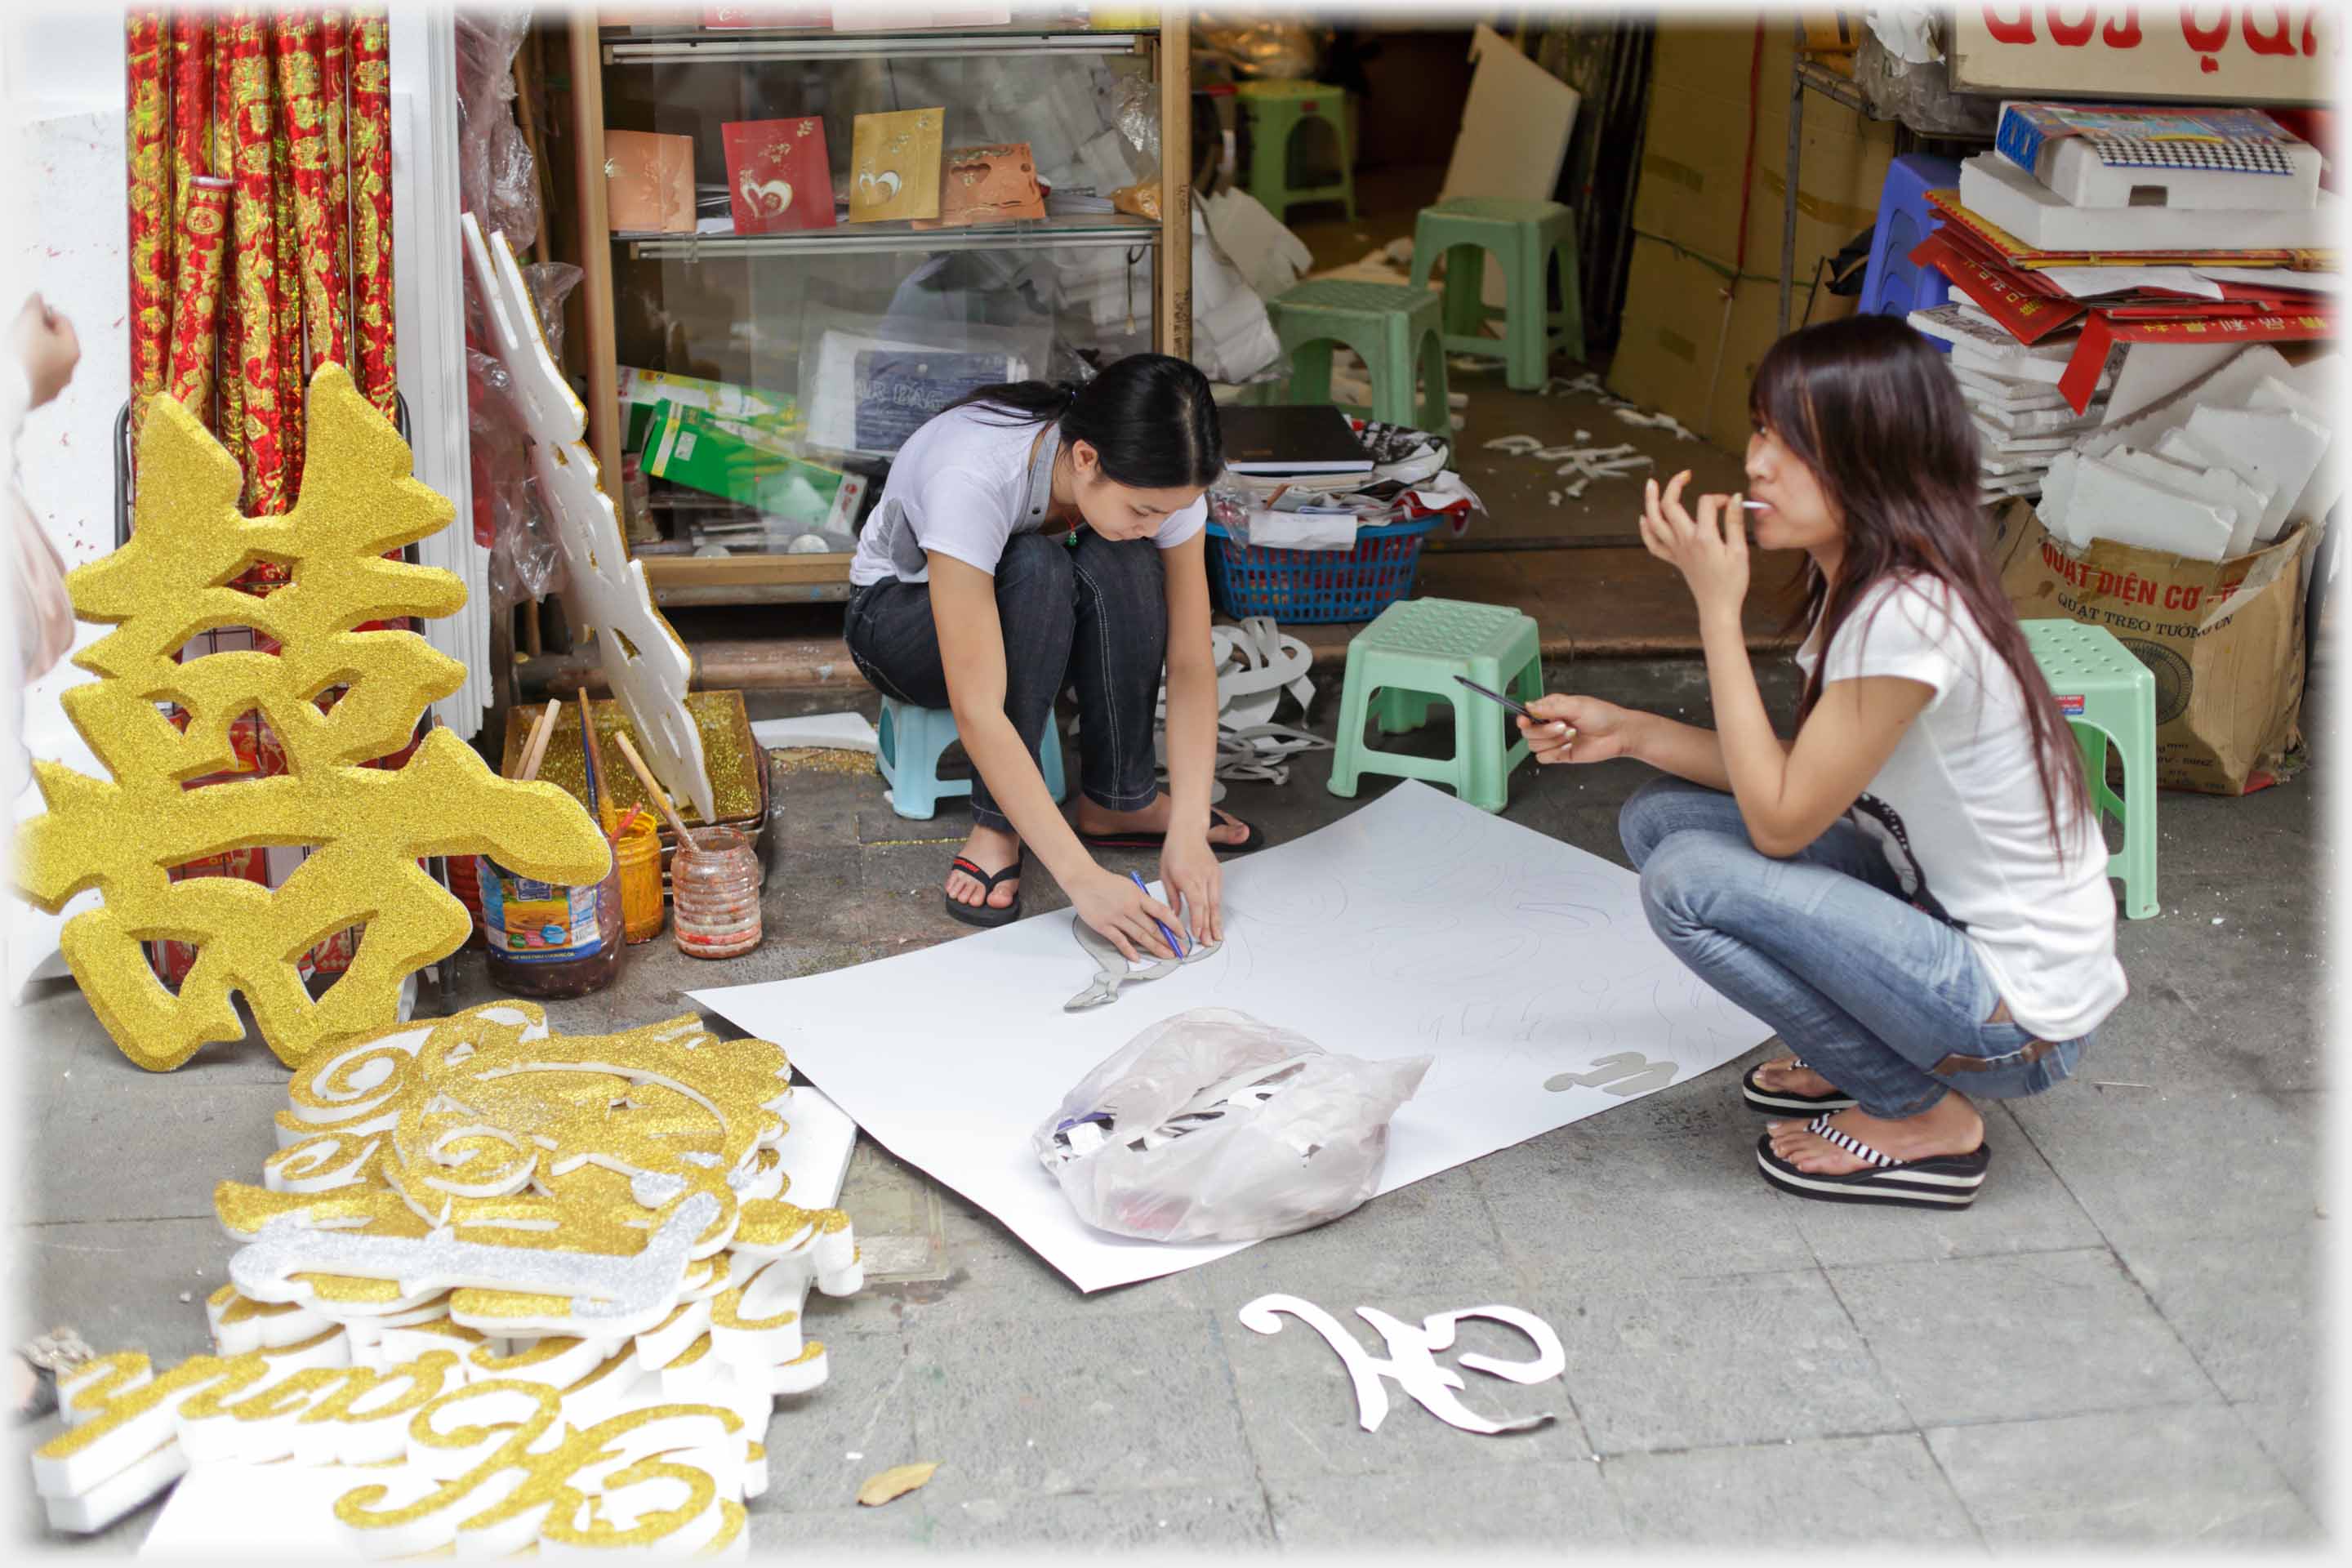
2212,474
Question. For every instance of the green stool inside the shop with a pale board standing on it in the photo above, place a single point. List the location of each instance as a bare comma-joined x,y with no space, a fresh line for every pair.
1525,239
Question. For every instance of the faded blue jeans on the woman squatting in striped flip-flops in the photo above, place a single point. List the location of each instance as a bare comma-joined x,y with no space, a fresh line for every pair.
1876,996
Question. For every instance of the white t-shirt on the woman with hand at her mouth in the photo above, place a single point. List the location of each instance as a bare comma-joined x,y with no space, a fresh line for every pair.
1958,810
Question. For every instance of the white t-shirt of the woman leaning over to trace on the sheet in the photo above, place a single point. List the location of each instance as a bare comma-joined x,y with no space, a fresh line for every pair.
965,485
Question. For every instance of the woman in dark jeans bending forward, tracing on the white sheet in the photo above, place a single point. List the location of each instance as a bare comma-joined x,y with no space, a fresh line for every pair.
1038,537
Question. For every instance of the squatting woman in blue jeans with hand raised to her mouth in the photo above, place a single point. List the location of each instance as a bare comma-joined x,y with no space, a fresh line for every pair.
1911,892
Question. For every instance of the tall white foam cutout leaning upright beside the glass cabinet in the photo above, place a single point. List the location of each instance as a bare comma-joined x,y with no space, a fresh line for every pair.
646,662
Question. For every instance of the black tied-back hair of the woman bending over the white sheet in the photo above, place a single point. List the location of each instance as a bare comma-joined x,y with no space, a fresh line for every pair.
1149,420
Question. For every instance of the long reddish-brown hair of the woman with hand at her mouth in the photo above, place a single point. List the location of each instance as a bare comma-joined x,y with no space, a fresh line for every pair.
1876,415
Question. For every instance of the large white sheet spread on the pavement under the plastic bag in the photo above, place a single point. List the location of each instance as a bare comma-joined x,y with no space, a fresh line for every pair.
1412,925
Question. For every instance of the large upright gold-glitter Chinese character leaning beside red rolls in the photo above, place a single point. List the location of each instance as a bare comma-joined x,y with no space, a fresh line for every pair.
368,826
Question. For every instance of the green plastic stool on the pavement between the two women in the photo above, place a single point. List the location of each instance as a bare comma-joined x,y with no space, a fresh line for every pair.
1405,662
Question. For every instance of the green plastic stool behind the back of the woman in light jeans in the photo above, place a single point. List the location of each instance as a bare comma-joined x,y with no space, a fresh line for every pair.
2109,695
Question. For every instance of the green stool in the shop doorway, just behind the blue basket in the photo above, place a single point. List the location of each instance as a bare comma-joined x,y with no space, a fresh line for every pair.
1389,326
